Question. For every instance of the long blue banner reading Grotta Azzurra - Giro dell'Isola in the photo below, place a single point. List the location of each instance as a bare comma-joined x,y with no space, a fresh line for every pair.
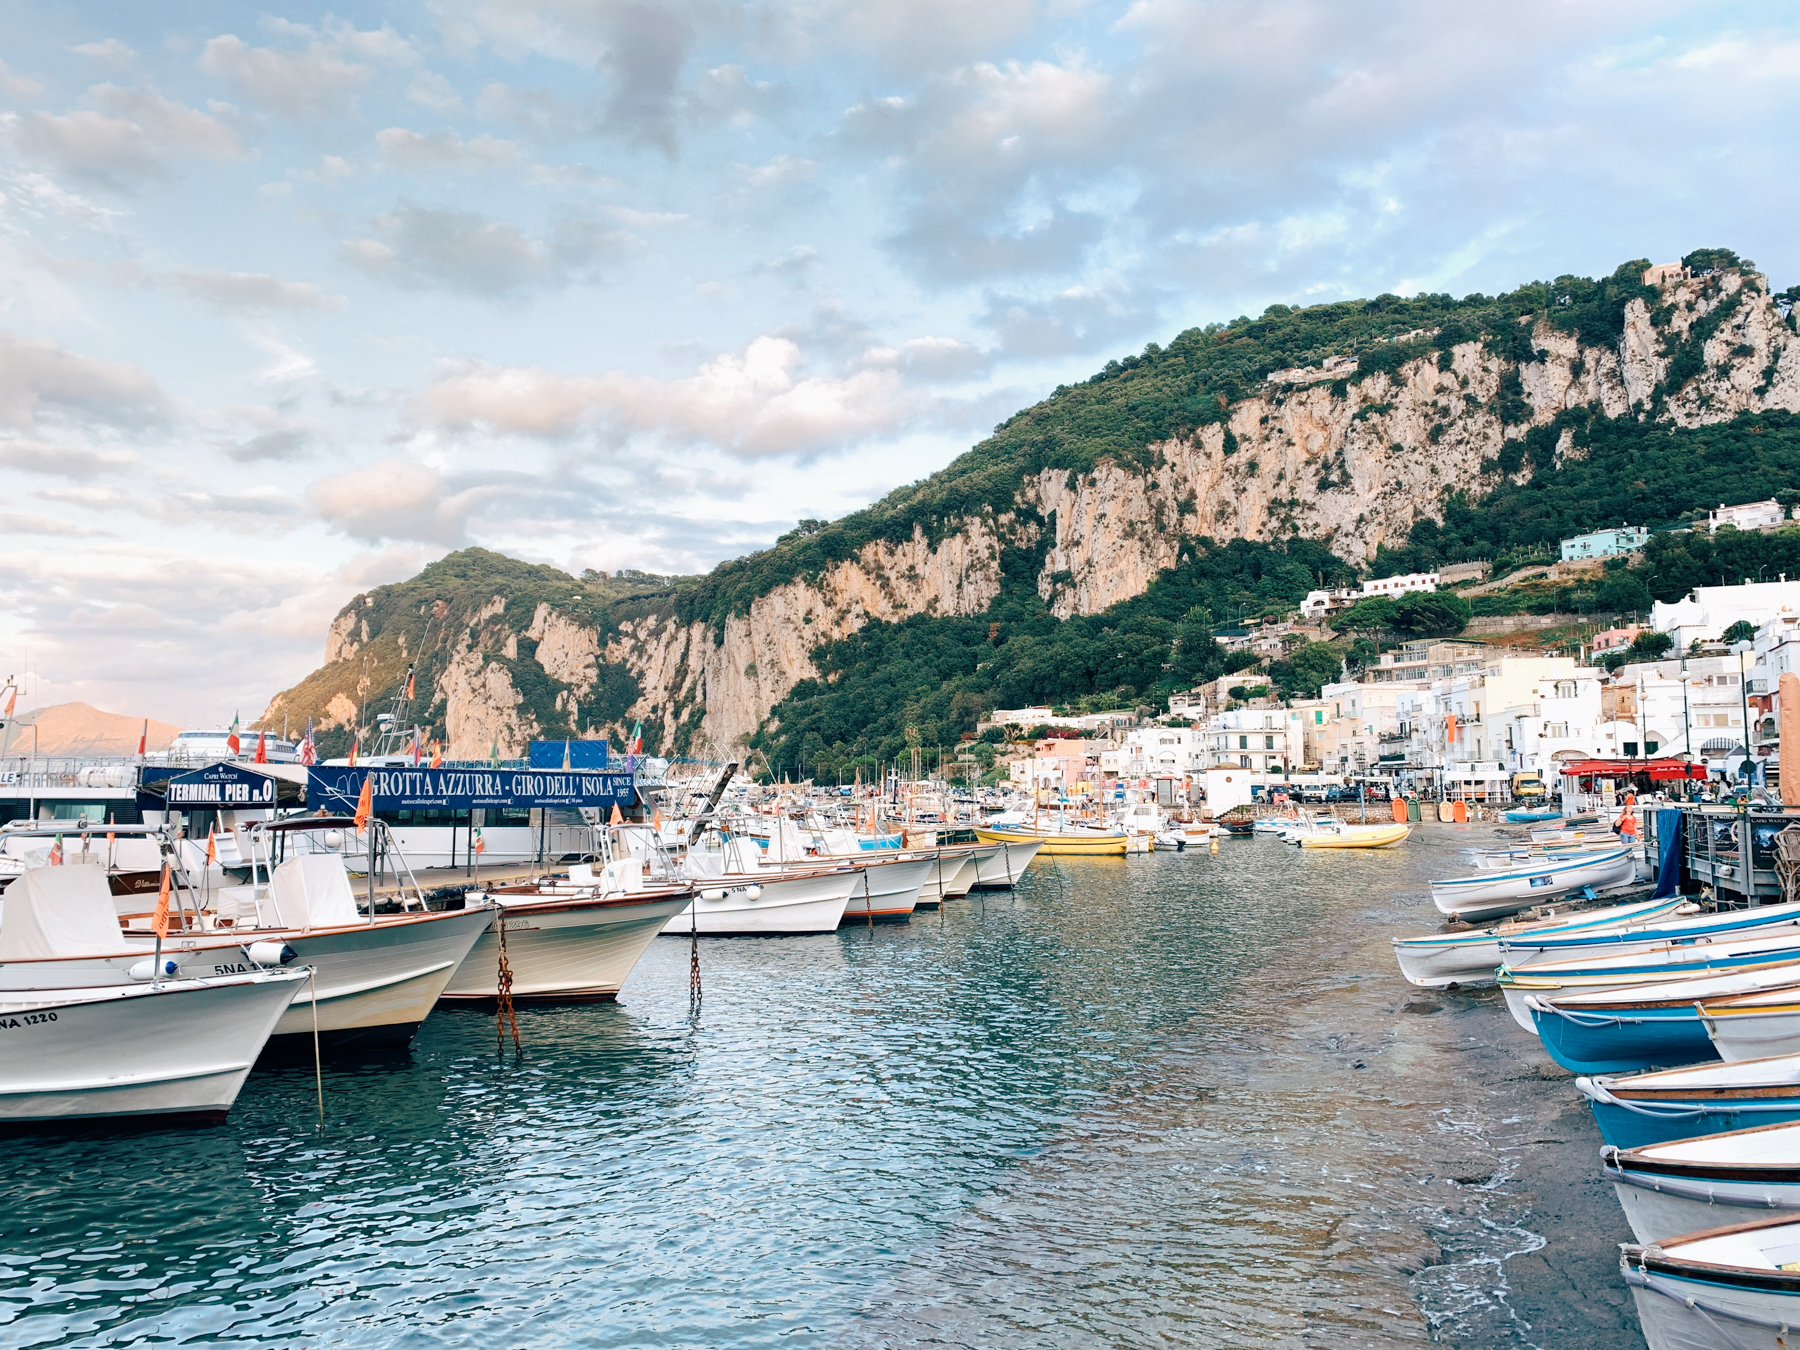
337,787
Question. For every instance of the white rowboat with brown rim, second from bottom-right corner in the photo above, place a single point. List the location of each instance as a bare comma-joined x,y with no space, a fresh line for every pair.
1713,1182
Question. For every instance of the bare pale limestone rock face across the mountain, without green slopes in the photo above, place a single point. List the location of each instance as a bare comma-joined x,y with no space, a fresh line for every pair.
1349,462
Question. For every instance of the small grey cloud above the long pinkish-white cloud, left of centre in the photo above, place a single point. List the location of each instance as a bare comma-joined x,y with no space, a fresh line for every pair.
458,251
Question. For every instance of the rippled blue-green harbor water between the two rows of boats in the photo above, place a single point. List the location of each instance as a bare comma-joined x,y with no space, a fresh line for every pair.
1156,1101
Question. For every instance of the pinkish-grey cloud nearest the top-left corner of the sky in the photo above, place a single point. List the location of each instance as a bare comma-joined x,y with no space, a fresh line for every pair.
130,134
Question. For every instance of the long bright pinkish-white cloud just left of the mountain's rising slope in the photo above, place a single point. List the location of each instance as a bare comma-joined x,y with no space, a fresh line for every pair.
751,404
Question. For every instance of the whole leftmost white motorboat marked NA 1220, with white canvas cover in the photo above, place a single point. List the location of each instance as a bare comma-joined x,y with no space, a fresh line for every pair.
132,1047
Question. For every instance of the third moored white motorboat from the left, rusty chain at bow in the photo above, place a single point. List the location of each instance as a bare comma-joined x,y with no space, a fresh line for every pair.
570,939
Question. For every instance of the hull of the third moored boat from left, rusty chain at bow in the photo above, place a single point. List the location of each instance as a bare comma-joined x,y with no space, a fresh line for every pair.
564,949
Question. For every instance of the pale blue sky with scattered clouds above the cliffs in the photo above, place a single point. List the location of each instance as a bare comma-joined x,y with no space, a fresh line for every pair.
294,301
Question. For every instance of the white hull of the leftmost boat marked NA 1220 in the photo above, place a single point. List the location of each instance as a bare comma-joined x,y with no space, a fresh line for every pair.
177,1050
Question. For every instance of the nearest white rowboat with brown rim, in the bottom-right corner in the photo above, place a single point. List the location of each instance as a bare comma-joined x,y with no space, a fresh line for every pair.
1720,1290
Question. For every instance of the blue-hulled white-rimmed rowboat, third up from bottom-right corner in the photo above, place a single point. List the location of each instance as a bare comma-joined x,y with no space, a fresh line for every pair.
1704,1099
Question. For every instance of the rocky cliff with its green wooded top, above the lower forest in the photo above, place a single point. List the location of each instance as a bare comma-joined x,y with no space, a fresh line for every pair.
1351,449
